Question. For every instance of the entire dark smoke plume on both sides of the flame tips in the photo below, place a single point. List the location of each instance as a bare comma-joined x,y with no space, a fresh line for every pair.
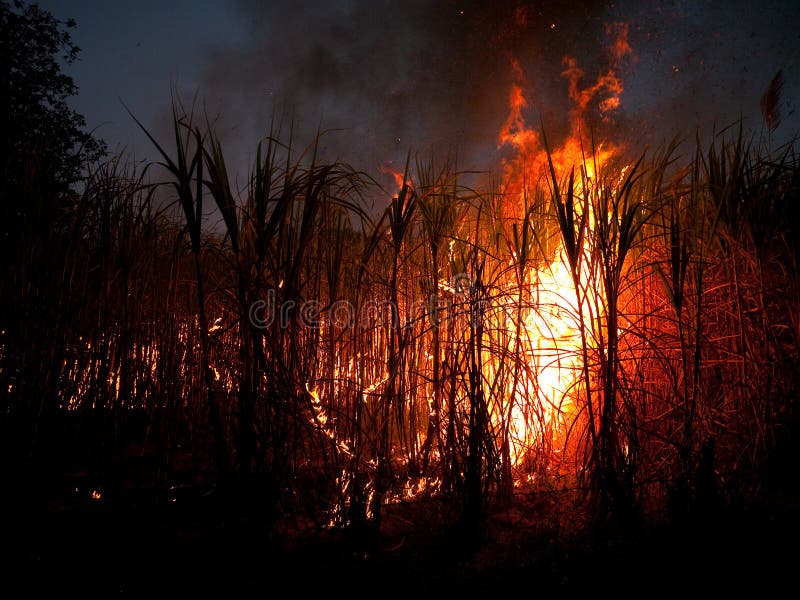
434,76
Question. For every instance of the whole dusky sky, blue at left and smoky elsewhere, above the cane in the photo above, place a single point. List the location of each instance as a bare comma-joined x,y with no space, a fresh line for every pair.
434,75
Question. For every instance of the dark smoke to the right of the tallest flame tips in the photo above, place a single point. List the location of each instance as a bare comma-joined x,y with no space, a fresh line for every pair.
704,66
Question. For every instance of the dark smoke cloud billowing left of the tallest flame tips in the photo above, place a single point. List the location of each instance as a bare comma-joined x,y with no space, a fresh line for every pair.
427,75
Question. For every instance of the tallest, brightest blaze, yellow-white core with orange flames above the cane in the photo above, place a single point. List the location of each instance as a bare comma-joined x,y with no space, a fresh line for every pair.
542,403
